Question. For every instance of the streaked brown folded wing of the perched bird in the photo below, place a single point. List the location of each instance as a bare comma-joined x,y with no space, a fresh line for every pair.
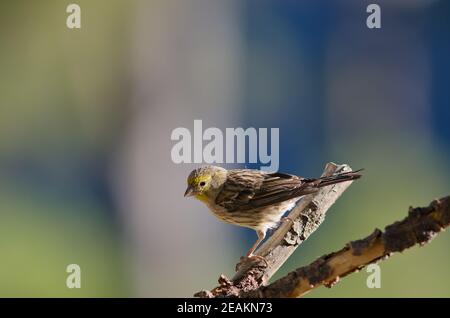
249,189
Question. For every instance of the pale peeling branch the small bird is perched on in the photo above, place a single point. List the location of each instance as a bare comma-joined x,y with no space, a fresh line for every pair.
306,217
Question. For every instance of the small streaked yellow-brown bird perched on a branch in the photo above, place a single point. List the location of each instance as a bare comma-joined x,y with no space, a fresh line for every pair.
253,198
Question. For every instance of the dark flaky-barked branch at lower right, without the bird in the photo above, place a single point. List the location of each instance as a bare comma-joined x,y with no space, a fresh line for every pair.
419,227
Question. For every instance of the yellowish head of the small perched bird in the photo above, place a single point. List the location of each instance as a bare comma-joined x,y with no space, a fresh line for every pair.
205,182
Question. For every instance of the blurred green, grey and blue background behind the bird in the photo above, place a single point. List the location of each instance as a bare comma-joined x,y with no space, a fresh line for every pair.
86,115
